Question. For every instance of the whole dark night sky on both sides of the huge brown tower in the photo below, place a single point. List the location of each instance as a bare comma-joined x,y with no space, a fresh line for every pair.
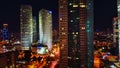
104,11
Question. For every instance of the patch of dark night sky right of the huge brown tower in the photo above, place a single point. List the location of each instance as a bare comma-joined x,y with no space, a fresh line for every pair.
104,11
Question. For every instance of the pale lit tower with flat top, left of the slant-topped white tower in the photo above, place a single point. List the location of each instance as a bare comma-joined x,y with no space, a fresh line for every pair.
26,25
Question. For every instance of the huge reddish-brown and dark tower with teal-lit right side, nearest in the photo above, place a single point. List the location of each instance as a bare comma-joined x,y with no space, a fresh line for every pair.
76,33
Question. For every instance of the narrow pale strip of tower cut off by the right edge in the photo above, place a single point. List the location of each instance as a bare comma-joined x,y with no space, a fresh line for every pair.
118,9
